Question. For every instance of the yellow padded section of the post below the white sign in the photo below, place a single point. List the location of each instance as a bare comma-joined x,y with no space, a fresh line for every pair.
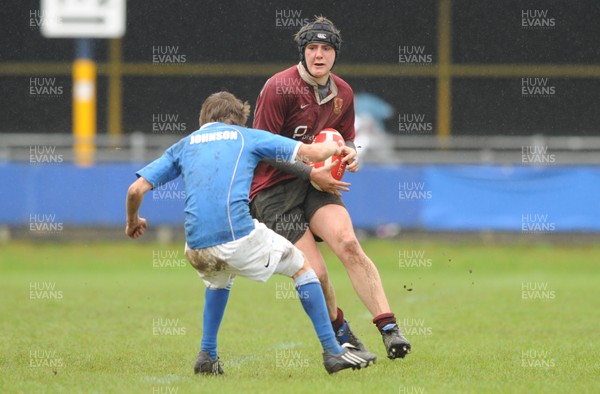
84,111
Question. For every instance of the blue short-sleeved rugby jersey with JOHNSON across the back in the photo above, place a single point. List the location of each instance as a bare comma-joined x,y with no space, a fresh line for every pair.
217,164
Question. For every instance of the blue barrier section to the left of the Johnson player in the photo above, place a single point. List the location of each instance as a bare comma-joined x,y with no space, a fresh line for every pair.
80,196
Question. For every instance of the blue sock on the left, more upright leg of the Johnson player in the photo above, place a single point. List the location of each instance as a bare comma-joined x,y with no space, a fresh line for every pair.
215,301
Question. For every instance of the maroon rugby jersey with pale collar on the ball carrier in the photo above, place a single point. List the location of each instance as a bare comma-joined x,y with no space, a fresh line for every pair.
289,105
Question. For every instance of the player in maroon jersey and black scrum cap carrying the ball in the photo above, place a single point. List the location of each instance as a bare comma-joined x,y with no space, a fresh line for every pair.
298,103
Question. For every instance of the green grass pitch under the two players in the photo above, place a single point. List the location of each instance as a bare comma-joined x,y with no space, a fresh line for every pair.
126,317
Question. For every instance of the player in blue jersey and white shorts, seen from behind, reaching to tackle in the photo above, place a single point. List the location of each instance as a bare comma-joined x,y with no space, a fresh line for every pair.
217,164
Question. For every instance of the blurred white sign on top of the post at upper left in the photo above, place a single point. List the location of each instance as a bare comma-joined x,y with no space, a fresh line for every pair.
83,18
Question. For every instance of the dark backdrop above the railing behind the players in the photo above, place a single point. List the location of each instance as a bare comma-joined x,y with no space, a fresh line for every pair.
496,50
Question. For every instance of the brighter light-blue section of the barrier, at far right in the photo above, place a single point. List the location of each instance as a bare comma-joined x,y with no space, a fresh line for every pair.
510,198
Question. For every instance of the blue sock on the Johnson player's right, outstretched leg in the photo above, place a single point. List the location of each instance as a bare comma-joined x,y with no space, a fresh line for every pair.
313,302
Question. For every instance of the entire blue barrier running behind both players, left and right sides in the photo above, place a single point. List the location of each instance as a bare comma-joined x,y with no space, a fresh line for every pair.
445,198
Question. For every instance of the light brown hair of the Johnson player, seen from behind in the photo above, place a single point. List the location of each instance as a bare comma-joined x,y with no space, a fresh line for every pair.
224,107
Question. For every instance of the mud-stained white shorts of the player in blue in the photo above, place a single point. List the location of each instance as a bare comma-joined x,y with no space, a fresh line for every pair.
256,256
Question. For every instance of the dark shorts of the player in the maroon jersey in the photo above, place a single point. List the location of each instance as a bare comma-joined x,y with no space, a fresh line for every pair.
288,207
